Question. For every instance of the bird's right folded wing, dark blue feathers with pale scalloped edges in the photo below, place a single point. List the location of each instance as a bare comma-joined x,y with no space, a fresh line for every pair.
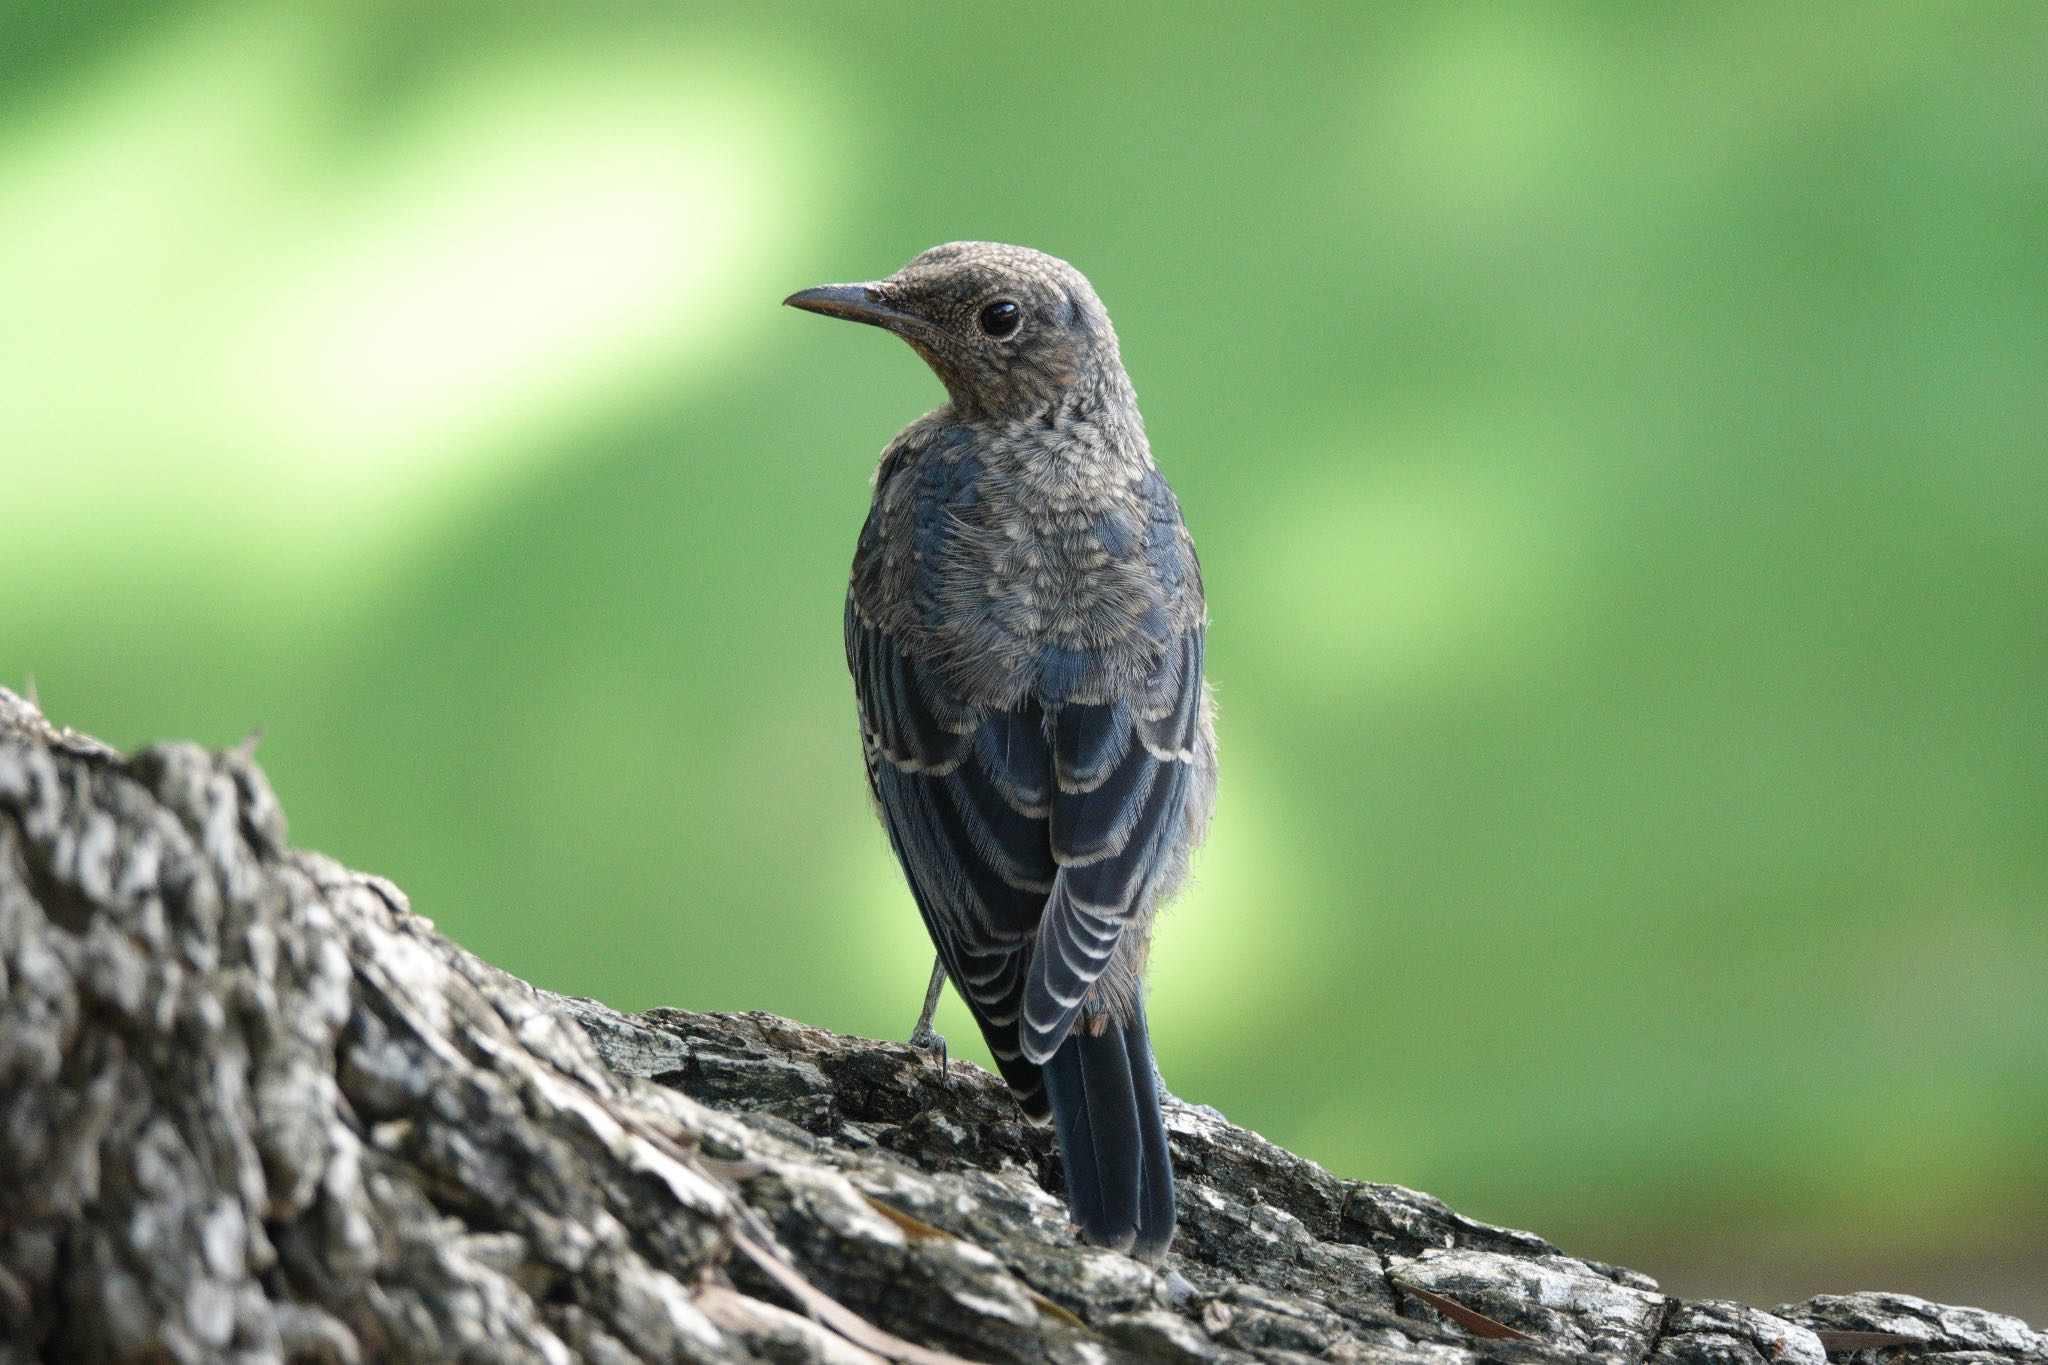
1121,777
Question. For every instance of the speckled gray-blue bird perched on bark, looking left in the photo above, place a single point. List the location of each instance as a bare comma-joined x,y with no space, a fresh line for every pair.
1027,627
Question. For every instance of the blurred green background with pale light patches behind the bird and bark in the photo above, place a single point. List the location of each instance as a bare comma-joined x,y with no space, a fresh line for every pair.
1615,435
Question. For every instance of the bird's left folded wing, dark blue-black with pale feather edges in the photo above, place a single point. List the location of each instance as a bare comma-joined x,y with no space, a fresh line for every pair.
964,795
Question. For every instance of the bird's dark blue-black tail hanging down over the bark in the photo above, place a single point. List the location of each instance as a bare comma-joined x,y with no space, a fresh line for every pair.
1111,1139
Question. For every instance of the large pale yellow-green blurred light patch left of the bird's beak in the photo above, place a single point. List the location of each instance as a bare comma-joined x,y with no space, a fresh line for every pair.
247,345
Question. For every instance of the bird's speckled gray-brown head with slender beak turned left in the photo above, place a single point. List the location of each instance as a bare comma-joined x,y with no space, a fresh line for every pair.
1007,331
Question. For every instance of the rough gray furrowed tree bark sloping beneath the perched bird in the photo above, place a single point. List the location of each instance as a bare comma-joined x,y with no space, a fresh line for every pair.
257,1110
